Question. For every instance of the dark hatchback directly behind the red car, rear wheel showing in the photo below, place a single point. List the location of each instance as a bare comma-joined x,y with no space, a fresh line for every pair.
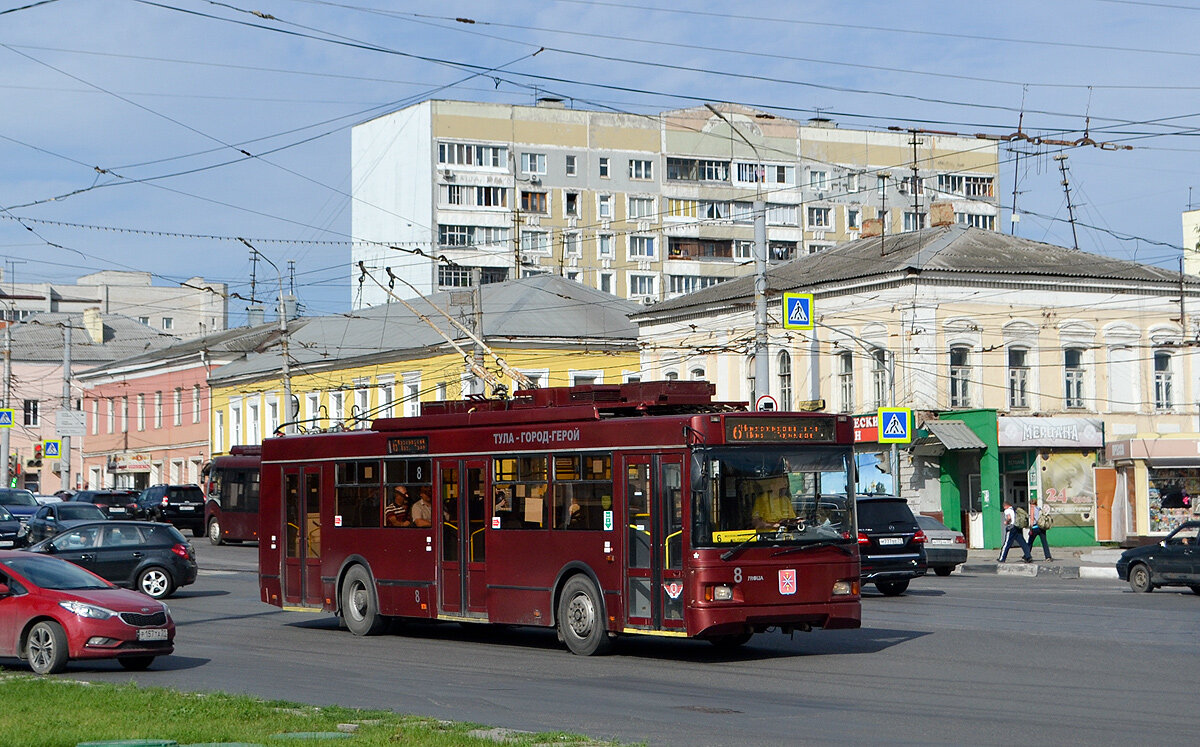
153,559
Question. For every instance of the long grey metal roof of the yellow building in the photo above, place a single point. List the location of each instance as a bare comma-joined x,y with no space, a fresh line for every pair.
542,309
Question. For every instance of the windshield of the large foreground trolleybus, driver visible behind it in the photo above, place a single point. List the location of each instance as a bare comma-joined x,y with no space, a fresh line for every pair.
787,494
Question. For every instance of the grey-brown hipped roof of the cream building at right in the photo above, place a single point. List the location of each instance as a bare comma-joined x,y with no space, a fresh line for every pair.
951,250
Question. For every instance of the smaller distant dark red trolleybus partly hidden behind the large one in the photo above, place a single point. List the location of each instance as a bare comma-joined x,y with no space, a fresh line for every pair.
231,512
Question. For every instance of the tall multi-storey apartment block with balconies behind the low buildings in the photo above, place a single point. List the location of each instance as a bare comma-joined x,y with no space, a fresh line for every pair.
644,207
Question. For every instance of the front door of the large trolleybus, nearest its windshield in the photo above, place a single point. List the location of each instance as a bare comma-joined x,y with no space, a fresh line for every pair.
655,536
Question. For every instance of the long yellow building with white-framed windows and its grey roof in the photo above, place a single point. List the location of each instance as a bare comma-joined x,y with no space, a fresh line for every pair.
346,370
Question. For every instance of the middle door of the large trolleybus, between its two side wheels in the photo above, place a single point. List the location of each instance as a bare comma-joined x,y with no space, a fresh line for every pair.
463,486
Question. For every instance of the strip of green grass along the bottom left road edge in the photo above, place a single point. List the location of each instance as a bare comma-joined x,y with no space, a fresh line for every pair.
51,712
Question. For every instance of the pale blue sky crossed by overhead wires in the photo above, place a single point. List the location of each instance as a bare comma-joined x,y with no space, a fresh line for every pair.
134,115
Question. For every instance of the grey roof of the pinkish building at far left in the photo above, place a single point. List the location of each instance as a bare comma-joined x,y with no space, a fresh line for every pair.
40,338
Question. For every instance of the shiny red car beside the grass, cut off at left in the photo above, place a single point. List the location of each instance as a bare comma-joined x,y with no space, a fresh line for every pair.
52,612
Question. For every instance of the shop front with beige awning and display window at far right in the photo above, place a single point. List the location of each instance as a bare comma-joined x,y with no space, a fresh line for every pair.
1157,485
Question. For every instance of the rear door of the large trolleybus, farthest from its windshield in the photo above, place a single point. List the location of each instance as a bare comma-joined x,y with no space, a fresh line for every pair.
302,563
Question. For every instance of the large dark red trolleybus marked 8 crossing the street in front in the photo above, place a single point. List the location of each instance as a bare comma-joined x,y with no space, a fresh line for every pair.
643,509
